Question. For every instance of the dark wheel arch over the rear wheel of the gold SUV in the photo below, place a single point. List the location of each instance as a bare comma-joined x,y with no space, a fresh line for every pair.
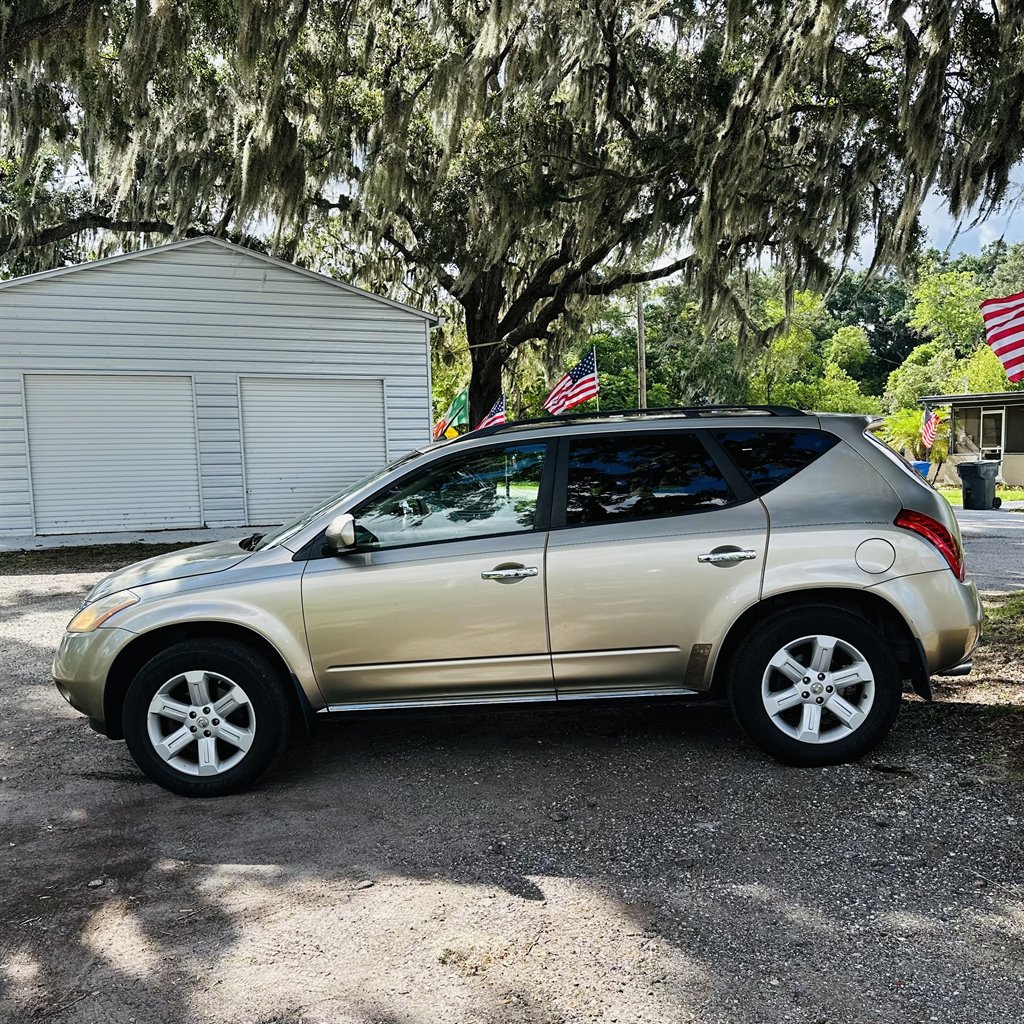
880,613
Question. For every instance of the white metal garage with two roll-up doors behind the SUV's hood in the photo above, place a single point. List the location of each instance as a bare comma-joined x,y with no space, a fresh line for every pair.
198,385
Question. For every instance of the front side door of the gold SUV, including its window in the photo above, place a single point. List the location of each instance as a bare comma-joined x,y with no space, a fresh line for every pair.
443,599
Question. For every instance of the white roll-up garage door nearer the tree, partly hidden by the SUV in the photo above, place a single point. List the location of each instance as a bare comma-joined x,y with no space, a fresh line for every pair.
306,439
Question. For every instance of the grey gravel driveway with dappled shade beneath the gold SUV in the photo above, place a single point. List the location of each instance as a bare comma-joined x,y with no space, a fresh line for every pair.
566,866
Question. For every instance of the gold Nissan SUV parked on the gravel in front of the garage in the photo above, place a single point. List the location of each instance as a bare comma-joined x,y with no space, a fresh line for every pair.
787,562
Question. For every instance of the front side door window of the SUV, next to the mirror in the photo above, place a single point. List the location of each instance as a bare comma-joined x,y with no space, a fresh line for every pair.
471,495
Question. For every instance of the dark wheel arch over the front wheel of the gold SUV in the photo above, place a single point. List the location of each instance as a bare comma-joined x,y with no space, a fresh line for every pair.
147,646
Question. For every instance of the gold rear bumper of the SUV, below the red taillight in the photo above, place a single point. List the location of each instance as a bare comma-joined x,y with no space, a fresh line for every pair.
945,615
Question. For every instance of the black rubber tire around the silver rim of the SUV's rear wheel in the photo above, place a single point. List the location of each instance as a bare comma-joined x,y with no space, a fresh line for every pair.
753,661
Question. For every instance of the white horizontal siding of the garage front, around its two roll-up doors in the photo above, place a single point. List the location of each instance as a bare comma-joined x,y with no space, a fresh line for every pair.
216,313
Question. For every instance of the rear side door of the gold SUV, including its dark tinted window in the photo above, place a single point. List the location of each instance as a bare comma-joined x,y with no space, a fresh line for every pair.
657,545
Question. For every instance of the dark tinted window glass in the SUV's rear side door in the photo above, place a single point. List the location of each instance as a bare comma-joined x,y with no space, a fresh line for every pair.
642,478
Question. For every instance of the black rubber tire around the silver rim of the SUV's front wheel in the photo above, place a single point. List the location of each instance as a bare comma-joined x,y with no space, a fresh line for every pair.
268,705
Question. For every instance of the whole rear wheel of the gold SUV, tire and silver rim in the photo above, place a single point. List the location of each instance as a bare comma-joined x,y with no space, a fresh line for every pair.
816,687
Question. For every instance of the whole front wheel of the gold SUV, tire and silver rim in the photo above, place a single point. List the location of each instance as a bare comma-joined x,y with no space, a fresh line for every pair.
206,718
